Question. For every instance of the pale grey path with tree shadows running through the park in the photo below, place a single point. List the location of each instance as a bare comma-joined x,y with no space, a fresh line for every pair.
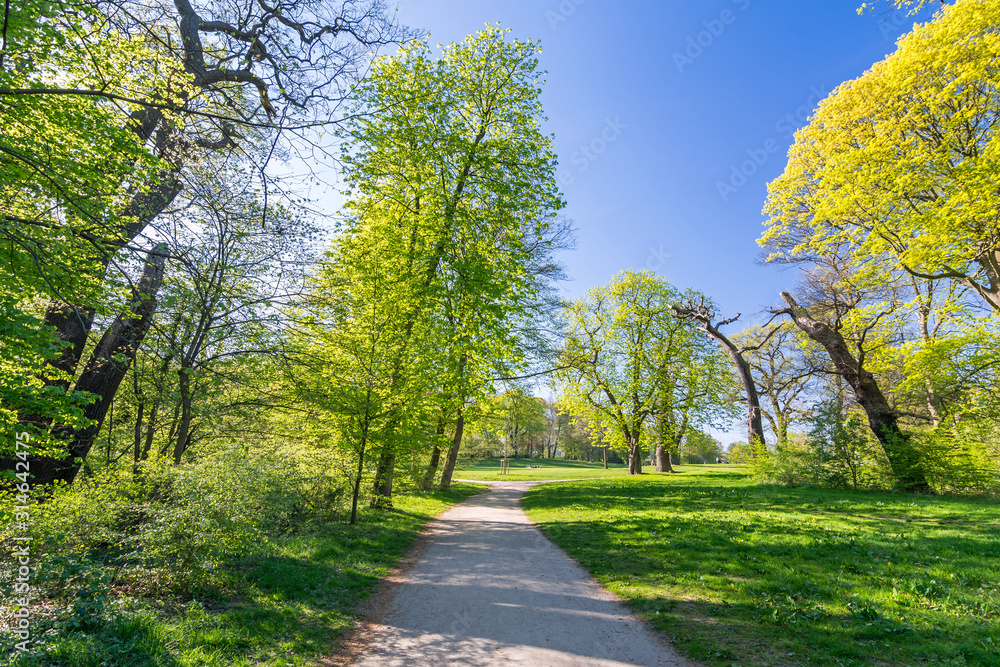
490,589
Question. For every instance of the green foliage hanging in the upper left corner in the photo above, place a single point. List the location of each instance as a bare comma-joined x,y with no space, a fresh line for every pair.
64,158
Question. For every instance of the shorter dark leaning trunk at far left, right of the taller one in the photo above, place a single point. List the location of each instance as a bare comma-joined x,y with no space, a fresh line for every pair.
105,371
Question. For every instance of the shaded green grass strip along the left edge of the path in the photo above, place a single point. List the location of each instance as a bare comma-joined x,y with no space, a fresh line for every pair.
287,605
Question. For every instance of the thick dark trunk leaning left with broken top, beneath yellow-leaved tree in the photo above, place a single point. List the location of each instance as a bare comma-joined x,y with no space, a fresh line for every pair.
883,420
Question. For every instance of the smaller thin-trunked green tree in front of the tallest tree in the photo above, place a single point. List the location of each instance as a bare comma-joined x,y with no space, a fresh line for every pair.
348,366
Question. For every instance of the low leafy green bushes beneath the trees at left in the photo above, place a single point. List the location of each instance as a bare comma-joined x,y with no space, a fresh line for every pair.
161,529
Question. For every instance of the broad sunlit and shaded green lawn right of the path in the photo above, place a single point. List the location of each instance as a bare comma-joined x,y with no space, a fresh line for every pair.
742,574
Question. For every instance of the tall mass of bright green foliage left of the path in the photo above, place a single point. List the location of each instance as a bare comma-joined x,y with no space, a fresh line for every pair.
446,244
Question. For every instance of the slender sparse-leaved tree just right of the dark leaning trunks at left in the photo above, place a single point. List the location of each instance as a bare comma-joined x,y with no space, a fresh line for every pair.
237,261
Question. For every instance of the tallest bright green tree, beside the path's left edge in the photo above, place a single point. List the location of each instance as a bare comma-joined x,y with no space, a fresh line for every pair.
455,168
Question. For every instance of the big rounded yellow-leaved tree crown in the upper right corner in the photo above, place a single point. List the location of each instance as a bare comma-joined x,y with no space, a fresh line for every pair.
899,166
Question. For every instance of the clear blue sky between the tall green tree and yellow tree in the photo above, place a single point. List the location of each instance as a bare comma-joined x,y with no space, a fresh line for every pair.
654,104
